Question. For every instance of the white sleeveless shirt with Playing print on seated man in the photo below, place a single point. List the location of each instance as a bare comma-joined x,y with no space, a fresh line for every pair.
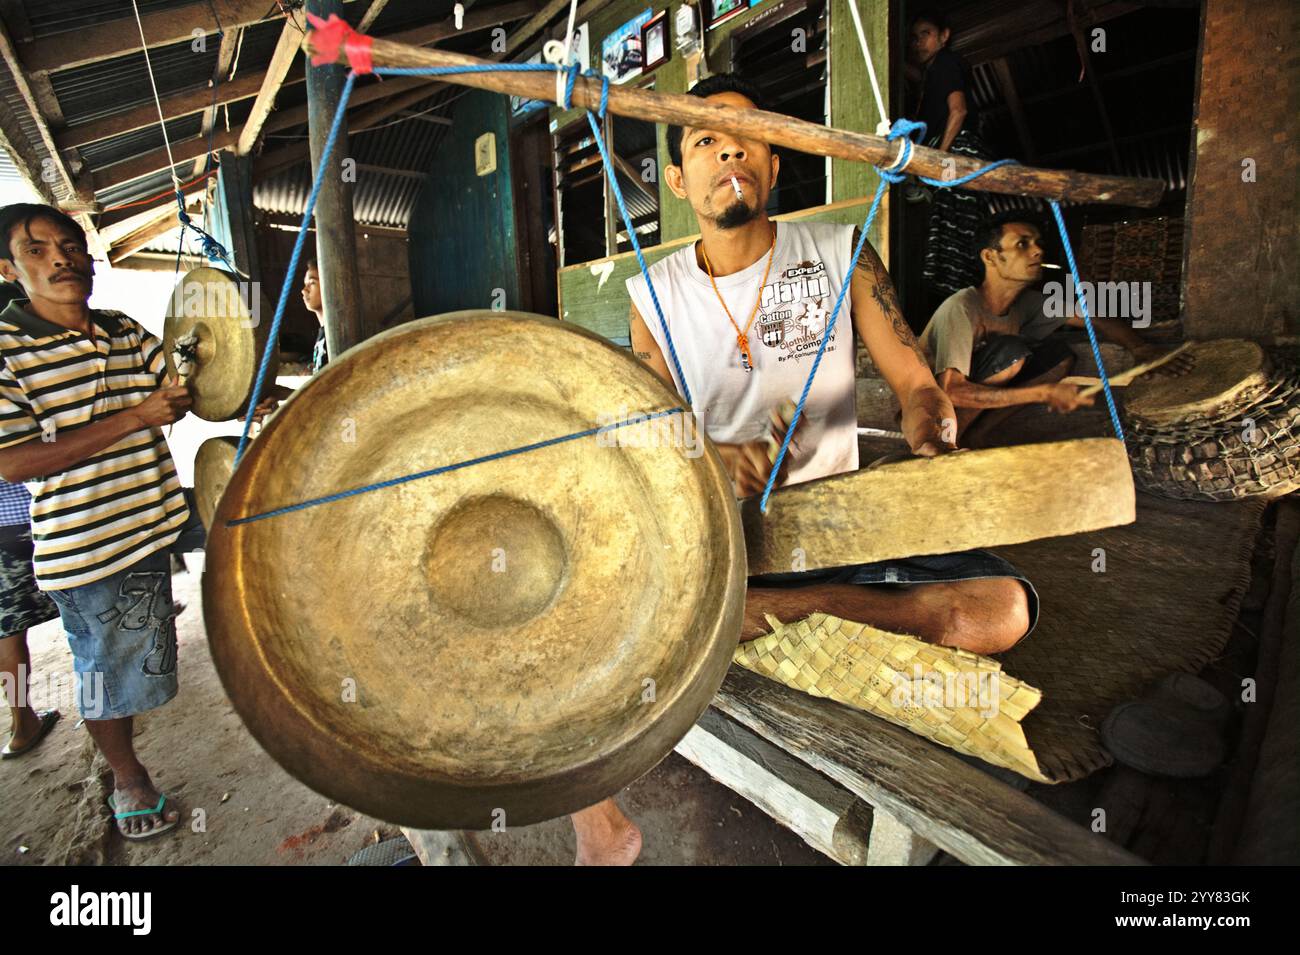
809,264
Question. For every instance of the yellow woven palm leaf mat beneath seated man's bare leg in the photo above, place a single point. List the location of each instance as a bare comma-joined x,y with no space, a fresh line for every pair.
950,696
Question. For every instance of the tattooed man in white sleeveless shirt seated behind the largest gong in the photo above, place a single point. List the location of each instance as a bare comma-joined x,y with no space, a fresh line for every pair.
747,307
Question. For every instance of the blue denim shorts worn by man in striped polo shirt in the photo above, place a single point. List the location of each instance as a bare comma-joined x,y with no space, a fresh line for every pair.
123,635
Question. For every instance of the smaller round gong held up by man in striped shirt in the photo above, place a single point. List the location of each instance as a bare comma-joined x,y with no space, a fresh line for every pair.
222,325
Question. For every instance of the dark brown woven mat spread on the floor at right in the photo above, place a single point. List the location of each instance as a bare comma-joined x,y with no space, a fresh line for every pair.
1167,602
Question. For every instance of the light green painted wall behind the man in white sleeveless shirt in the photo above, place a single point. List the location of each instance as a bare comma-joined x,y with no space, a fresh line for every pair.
603,306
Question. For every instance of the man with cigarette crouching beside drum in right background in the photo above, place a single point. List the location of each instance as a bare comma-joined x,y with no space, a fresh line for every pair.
989,345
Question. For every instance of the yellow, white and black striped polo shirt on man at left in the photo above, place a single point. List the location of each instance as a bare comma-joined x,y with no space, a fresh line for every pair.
119,506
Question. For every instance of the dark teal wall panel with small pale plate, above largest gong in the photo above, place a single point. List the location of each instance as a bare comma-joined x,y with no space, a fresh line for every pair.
463,225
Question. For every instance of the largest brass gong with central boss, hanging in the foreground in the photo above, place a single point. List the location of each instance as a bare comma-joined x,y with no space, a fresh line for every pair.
510,641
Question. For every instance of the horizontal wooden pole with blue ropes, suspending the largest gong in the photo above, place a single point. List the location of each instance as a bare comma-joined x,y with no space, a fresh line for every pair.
785,131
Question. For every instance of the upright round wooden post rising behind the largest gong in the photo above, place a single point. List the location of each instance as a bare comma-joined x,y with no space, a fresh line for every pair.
336,240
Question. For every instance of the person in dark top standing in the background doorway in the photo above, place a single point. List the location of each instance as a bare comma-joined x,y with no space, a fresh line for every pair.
952,124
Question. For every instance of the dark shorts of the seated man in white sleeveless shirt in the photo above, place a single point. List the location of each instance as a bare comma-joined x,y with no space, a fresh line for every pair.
938,568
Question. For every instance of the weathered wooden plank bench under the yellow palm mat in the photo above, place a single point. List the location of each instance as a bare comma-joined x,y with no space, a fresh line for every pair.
866,792
